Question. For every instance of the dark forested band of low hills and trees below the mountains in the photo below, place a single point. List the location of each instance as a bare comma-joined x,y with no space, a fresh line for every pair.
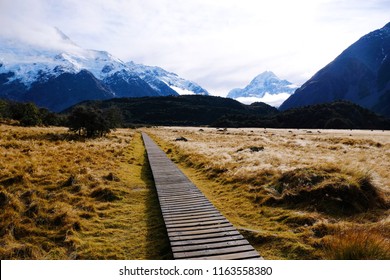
196,110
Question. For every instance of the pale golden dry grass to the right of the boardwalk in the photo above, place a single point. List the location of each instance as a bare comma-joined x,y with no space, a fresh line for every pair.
290,192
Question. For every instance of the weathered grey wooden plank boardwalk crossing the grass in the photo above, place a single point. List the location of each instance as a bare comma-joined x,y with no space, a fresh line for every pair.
196,229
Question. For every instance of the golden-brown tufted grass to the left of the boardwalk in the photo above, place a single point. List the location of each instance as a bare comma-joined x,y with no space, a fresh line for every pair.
68,198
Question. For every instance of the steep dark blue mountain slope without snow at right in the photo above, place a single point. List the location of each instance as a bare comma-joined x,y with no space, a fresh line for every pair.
360,74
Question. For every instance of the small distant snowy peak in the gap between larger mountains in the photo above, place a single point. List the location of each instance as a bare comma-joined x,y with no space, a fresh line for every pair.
266,87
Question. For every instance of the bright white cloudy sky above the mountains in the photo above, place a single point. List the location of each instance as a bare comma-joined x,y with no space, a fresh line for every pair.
220,44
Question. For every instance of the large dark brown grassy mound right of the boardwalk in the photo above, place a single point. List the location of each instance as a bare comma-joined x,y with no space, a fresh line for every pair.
327,190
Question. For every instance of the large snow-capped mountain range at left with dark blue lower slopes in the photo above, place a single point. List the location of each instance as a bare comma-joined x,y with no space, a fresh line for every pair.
57,77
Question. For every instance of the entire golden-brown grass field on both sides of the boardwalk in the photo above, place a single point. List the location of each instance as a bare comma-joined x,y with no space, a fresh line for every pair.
294,194
